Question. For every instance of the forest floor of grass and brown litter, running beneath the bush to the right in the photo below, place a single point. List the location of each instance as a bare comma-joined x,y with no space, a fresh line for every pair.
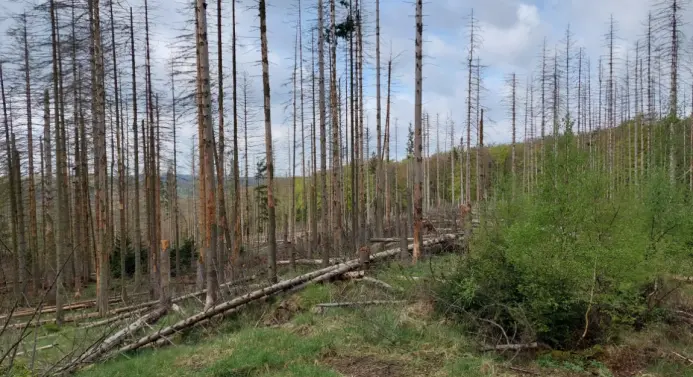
288,336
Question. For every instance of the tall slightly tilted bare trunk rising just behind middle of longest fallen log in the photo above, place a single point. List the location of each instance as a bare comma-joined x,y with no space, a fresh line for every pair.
268,146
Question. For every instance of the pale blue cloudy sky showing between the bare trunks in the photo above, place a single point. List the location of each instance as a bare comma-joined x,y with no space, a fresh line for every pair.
512,33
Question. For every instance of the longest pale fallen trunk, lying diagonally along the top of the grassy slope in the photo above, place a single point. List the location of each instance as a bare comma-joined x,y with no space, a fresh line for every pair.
298,282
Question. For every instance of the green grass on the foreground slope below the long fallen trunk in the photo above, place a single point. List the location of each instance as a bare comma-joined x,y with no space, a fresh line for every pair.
265,340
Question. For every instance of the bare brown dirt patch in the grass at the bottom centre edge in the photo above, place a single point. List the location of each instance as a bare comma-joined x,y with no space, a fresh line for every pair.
366,366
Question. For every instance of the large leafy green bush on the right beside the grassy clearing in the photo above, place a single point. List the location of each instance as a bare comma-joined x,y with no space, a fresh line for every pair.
572,262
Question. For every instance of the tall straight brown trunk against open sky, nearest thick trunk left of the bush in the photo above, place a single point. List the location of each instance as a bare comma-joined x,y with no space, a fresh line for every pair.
418,184
